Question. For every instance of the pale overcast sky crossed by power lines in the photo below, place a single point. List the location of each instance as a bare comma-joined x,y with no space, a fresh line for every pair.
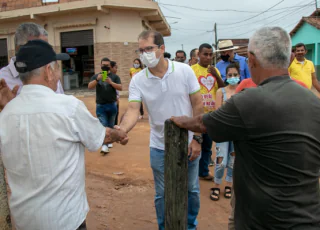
192,27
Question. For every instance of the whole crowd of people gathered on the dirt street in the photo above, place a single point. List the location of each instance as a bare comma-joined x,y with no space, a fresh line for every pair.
259,111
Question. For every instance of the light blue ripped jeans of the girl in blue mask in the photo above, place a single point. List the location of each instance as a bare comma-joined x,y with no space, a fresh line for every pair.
224,150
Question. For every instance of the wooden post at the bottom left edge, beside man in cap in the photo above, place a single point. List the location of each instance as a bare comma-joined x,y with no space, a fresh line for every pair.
5,221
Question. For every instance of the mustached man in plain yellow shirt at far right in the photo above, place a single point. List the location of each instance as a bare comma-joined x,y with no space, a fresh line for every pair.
303,69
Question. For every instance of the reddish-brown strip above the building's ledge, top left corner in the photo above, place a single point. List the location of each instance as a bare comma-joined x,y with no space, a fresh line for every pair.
7,5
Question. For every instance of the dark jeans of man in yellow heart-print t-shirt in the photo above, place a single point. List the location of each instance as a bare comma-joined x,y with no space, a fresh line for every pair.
206,154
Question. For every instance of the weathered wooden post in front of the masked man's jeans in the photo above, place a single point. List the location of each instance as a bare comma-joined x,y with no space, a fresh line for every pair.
176,177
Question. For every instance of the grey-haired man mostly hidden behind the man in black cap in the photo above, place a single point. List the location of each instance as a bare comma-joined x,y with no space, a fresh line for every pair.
24,33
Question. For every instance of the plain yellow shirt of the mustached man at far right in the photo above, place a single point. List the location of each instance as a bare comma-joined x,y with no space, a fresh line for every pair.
302,71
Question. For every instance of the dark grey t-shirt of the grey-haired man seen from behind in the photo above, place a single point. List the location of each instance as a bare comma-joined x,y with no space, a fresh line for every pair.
276,132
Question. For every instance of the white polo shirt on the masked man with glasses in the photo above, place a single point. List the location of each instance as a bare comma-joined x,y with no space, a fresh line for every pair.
164,98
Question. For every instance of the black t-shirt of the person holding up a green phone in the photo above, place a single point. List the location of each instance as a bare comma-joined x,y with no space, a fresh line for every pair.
105,93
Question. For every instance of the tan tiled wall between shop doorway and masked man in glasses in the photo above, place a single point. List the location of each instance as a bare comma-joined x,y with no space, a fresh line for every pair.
120,53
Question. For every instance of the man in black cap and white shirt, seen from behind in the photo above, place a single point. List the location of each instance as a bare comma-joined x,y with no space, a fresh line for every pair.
43,136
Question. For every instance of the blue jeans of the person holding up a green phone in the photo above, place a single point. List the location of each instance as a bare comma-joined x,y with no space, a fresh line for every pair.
106,114
